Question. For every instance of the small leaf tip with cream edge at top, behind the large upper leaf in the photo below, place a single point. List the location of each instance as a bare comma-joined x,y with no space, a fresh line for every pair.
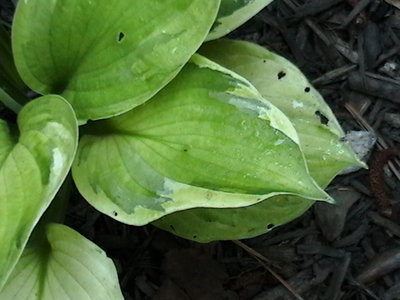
232,14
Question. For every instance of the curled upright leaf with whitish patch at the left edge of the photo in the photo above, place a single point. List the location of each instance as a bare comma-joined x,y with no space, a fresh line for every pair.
33,165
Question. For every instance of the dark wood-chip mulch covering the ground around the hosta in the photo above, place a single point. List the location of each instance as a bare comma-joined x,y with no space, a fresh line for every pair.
350,50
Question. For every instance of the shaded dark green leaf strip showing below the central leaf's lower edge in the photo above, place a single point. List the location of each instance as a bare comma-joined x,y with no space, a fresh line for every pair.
212,224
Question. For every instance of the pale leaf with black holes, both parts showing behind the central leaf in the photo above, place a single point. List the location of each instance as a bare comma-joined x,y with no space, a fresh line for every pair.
284,85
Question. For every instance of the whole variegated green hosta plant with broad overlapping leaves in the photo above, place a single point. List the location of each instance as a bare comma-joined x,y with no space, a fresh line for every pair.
220,144
